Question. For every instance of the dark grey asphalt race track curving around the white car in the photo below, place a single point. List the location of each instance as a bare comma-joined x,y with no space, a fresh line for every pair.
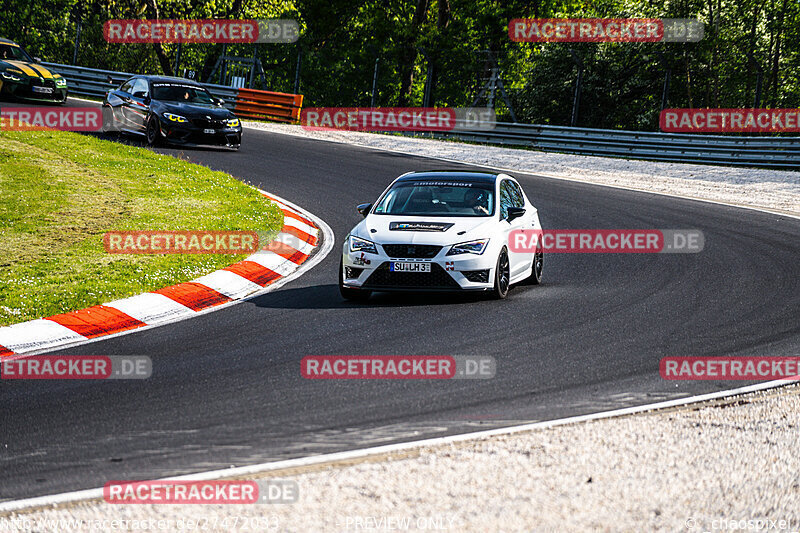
226,386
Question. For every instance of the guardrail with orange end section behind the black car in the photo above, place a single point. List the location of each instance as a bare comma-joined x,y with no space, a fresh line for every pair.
245,103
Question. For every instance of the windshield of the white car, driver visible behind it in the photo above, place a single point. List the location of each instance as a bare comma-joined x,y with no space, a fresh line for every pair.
438,198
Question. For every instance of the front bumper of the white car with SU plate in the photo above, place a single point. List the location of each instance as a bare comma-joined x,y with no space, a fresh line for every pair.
448,272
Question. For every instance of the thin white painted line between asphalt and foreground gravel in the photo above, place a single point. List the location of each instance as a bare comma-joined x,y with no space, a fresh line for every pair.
97,493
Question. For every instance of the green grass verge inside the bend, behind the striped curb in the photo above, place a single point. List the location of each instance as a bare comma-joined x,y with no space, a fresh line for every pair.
60,191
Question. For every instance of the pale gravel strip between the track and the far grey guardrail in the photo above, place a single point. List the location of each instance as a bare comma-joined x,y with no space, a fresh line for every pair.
777,190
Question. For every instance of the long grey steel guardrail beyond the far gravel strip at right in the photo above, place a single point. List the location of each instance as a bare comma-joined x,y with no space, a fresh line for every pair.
766,152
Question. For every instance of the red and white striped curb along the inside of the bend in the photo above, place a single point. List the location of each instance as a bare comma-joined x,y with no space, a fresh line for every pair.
304,240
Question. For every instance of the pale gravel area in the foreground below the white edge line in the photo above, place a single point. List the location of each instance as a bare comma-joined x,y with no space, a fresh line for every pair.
730,465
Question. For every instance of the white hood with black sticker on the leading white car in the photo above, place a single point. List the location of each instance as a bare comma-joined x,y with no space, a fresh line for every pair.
423,230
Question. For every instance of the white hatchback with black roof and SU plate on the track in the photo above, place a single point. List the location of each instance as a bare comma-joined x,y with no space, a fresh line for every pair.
441,231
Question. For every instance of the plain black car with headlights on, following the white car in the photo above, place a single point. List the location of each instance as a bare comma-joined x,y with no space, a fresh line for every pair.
170,110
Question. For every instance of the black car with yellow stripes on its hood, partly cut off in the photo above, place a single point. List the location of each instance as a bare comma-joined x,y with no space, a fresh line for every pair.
22,77
